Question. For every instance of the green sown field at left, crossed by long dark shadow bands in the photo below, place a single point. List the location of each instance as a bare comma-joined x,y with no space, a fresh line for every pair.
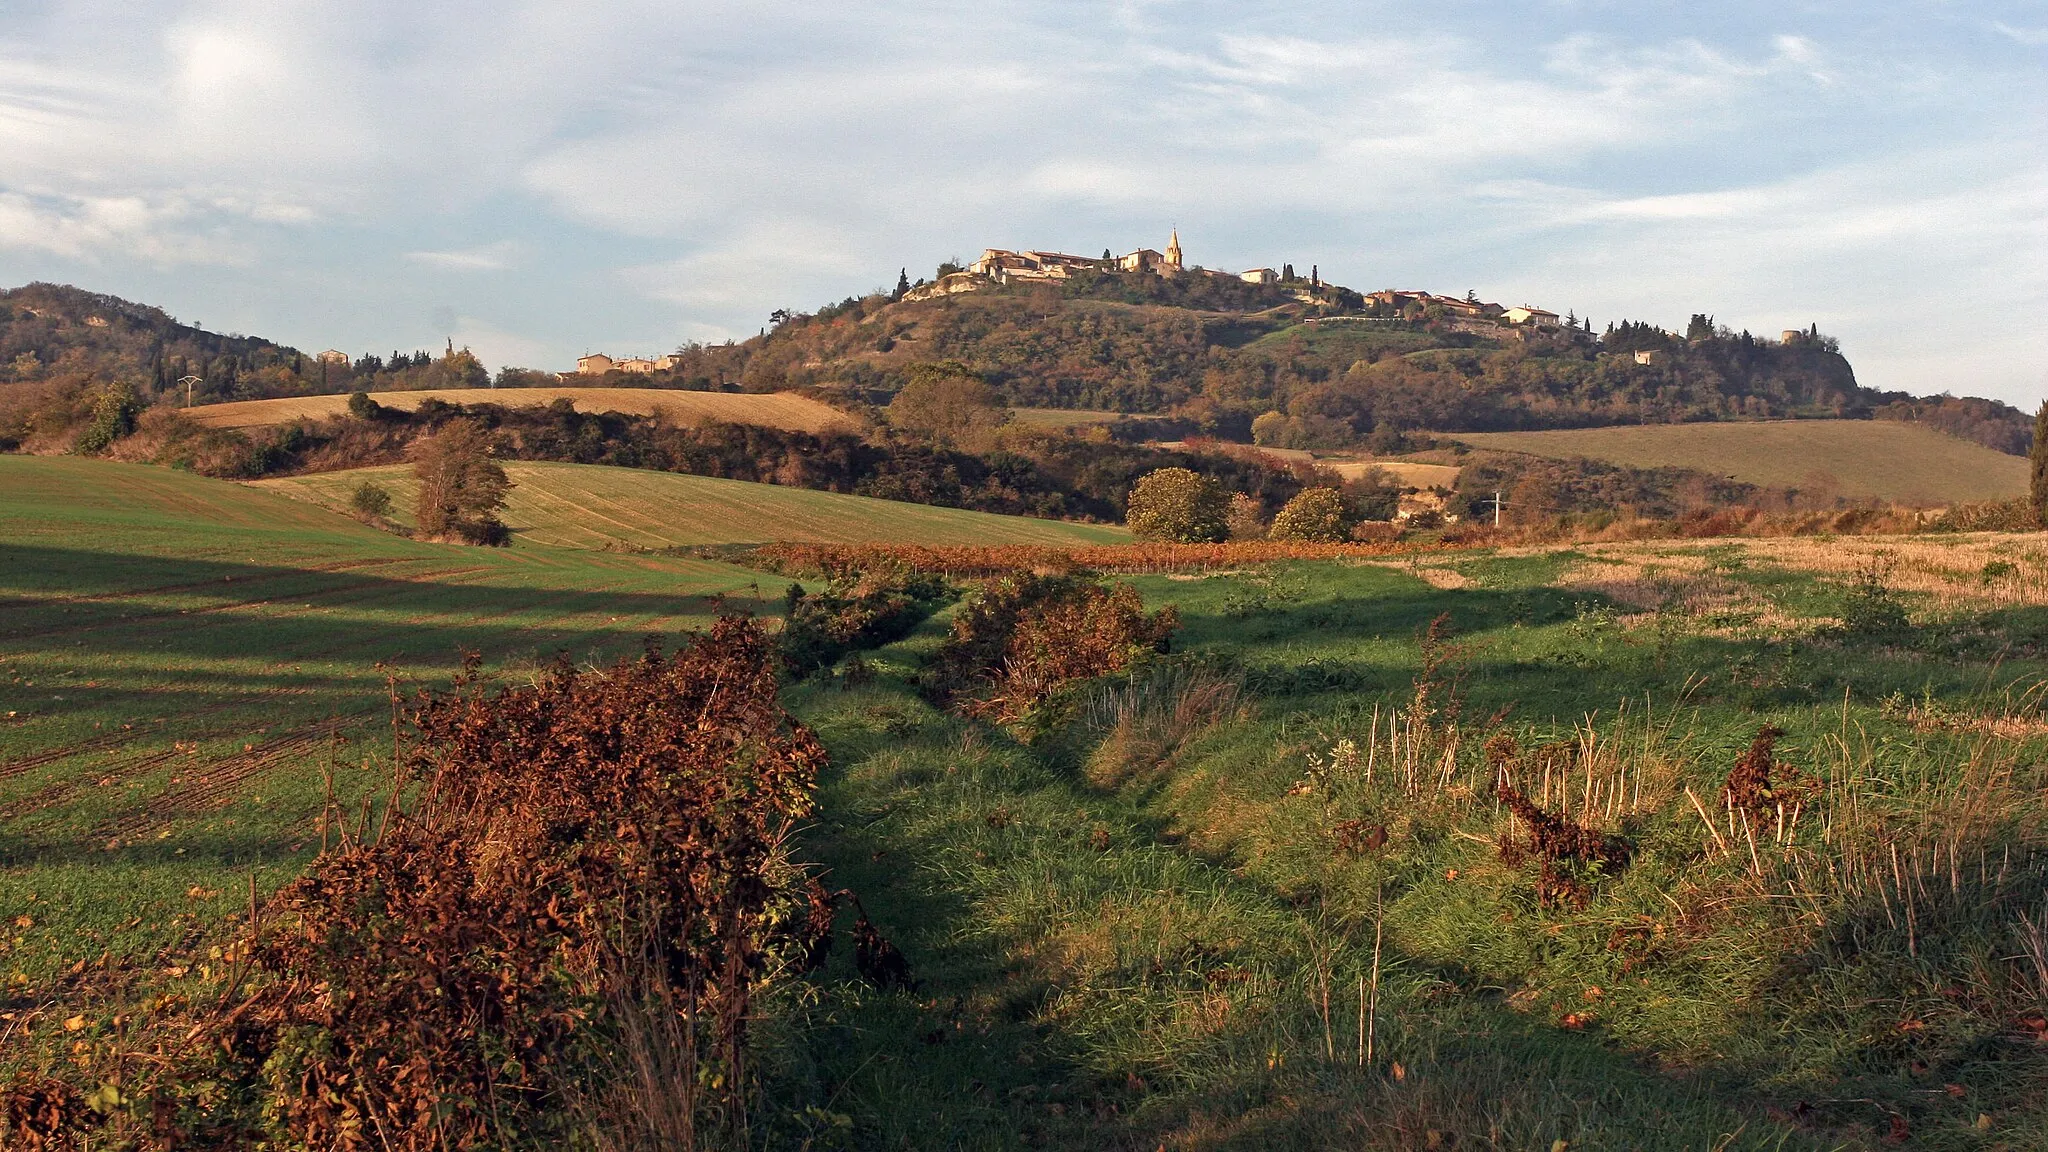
185,659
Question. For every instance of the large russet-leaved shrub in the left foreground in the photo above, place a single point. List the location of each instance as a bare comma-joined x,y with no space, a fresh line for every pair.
558,938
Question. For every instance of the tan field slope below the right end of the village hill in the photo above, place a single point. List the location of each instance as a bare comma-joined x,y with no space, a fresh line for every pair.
1852,458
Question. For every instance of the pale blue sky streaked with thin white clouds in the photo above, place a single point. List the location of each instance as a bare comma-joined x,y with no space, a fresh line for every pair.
544,179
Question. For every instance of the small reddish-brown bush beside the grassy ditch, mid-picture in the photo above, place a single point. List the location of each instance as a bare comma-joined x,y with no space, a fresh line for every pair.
1025,636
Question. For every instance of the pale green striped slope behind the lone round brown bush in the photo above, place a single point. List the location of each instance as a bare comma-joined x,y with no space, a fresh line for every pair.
577,505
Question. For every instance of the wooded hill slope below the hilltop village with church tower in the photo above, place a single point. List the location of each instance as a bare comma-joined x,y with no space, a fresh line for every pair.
1318,376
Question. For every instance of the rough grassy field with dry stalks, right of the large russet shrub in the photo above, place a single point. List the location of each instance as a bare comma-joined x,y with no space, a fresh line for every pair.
1285,921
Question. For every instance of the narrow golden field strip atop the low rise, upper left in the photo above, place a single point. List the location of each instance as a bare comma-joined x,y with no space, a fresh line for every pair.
773,411
